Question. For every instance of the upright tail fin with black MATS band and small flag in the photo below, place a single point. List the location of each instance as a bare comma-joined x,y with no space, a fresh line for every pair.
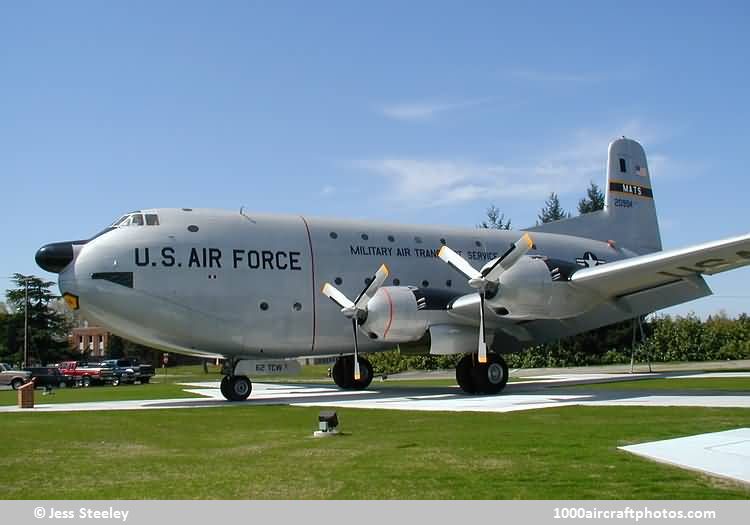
629,214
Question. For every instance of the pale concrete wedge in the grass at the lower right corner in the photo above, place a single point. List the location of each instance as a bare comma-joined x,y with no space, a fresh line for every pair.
725,454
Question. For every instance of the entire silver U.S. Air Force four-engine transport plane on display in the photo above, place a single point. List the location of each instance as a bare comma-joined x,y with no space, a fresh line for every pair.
247,286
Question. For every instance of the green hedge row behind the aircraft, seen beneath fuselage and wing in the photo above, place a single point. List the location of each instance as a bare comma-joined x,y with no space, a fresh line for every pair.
667,339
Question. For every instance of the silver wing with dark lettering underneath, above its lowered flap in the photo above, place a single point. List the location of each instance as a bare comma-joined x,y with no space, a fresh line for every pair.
649,271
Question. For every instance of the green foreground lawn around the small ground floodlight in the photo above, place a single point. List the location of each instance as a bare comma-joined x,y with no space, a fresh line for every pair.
268,452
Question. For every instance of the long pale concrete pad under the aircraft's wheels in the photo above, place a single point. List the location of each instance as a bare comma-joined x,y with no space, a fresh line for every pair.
517,396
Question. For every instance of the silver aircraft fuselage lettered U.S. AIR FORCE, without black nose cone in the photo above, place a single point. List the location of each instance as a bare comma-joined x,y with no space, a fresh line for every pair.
212,282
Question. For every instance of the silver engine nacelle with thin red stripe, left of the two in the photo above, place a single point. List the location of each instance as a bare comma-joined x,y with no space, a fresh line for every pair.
393,315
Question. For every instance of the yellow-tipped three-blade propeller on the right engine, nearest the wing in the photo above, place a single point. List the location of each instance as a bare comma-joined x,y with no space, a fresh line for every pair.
487,278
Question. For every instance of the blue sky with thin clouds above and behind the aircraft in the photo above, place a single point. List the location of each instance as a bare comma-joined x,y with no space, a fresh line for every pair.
417,112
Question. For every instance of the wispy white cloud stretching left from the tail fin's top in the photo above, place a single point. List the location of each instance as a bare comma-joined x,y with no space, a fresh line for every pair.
564,169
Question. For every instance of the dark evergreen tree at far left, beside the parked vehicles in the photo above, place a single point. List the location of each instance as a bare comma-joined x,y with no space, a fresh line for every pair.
48,329
